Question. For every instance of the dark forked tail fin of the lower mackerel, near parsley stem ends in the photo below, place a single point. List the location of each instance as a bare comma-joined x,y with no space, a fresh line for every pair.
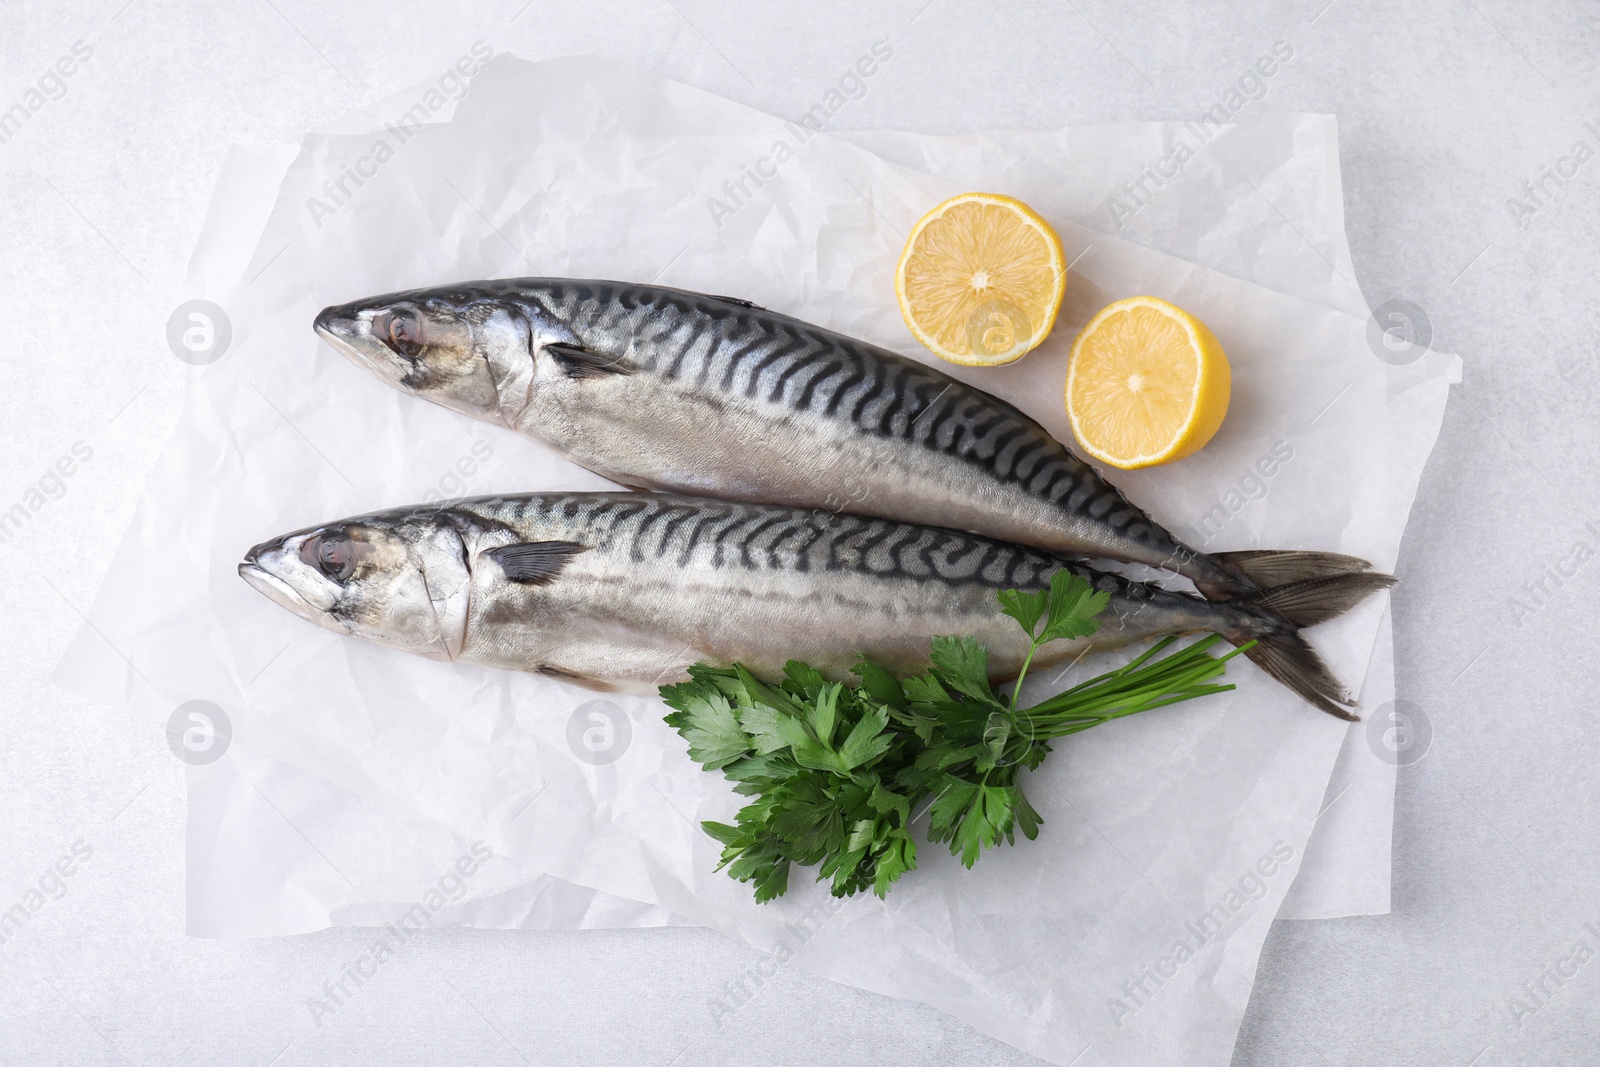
1274,618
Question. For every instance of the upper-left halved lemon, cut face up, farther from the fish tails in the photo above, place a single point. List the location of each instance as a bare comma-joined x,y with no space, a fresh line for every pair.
982,279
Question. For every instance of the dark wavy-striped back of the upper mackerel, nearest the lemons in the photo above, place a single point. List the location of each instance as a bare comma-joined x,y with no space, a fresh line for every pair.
732,348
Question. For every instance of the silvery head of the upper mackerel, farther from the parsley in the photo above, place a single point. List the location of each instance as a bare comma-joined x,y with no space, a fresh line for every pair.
454,350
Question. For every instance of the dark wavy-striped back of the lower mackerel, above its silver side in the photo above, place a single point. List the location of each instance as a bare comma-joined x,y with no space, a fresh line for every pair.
678,532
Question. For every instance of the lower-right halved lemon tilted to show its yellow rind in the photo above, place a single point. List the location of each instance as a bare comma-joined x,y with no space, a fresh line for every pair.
1146,385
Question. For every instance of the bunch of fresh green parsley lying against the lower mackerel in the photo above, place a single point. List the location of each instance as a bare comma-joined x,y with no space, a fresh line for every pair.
839,772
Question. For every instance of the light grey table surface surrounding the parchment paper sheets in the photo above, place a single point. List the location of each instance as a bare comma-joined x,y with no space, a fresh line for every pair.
1446,111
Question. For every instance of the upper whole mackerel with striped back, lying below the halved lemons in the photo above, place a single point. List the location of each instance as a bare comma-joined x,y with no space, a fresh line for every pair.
673,391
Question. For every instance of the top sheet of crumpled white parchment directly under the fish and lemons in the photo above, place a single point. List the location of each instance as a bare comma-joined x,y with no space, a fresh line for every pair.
1130,932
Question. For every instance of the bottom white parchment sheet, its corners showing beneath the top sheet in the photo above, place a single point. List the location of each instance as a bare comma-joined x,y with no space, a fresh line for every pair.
1297,244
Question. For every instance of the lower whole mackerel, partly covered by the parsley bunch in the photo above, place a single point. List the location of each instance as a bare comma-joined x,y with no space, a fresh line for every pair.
630,589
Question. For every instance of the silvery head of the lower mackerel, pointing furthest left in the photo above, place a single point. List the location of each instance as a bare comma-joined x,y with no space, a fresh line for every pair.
404,585
